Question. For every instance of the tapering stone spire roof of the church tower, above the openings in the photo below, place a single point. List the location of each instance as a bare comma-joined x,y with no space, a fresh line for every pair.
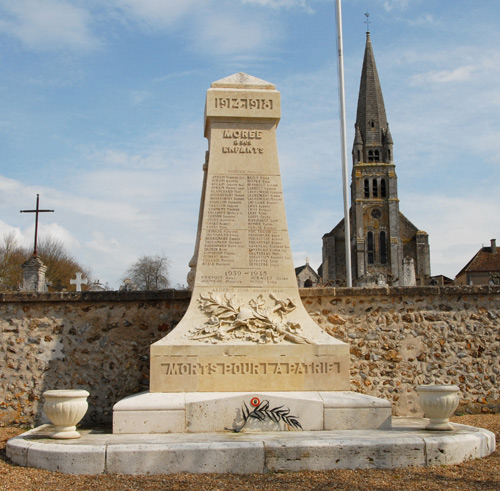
371,118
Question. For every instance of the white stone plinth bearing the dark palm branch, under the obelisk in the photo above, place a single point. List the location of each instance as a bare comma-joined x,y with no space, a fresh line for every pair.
206,412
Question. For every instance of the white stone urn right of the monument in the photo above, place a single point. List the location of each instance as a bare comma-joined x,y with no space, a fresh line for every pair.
439,403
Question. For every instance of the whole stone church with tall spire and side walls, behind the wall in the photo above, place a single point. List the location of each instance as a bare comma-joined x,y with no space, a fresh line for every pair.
386,248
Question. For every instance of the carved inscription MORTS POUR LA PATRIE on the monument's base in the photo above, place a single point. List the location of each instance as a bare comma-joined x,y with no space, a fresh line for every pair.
250,368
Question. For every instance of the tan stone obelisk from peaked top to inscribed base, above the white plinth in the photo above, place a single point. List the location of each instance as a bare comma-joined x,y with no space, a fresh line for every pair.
246,328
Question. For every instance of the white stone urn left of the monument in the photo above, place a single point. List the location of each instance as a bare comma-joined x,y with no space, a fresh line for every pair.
65,409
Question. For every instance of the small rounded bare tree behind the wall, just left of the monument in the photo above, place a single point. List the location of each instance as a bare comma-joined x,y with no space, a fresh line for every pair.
149,272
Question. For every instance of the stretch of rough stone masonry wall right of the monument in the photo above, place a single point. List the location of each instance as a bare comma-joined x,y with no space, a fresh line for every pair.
403,337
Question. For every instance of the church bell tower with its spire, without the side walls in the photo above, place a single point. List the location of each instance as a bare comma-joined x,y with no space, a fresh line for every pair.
374,194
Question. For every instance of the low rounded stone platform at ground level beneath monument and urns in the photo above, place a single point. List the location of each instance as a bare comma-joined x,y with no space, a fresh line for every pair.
407,443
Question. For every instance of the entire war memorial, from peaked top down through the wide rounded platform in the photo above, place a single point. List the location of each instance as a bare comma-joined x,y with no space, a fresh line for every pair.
247,382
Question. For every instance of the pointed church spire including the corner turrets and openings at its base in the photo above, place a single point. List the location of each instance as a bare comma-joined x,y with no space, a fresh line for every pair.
371,119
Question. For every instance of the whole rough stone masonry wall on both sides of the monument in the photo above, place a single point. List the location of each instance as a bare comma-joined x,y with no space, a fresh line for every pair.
99,341
